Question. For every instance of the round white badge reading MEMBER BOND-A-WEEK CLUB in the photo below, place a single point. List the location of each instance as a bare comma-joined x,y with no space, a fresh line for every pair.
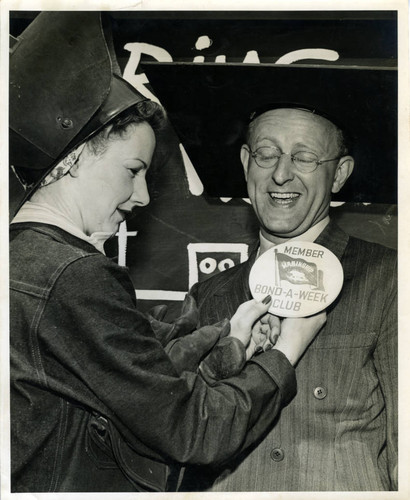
303,278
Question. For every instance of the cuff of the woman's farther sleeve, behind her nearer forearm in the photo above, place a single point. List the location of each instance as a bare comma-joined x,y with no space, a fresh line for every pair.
225,360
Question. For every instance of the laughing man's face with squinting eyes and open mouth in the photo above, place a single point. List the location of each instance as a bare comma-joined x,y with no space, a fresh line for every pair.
286,201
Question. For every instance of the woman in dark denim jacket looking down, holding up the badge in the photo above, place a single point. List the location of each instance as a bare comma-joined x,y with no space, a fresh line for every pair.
97,402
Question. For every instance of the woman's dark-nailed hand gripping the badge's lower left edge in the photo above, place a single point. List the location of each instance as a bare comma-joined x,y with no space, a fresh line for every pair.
247,321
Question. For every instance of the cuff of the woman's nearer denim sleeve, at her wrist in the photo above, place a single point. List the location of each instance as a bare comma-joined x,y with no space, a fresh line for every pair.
278,367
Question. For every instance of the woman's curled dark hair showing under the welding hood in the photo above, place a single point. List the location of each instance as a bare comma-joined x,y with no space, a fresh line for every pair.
143,112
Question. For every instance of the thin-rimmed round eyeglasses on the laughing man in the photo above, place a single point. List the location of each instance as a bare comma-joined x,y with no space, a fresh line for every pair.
305,161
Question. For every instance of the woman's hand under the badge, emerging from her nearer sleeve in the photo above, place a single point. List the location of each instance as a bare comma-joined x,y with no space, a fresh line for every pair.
297,333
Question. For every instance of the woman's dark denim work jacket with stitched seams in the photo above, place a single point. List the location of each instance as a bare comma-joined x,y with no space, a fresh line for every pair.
96,403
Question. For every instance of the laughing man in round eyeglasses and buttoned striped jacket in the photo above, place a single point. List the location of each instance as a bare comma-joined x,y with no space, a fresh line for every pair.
340,431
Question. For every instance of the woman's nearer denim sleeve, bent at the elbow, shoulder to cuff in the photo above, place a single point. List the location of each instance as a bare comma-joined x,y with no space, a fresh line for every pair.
91,326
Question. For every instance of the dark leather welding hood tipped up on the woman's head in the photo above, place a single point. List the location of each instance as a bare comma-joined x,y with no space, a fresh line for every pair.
65,85
